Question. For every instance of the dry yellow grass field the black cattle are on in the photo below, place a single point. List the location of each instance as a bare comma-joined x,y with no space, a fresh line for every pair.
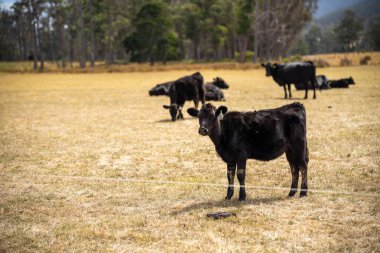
75,149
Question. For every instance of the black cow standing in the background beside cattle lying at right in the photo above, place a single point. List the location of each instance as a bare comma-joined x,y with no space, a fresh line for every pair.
296,72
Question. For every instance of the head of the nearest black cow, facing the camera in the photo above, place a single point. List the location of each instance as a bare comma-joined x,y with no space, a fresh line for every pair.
208,117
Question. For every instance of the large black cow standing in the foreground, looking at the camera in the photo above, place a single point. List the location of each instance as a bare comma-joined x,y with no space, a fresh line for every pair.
262,135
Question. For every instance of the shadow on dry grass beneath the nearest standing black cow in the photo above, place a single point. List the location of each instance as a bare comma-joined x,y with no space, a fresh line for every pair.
228,203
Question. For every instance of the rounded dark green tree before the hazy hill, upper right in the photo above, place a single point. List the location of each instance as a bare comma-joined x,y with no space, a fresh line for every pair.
348,31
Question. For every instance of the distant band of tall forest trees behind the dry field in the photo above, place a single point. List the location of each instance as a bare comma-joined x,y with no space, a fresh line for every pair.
120,31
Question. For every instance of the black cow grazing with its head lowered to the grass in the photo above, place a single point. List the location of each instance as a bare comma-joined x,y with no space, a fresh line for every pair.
186,88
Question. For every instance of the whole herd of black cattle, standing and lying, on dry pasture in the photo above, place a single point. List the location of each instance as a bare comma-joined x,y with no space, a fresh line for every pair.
261,135
